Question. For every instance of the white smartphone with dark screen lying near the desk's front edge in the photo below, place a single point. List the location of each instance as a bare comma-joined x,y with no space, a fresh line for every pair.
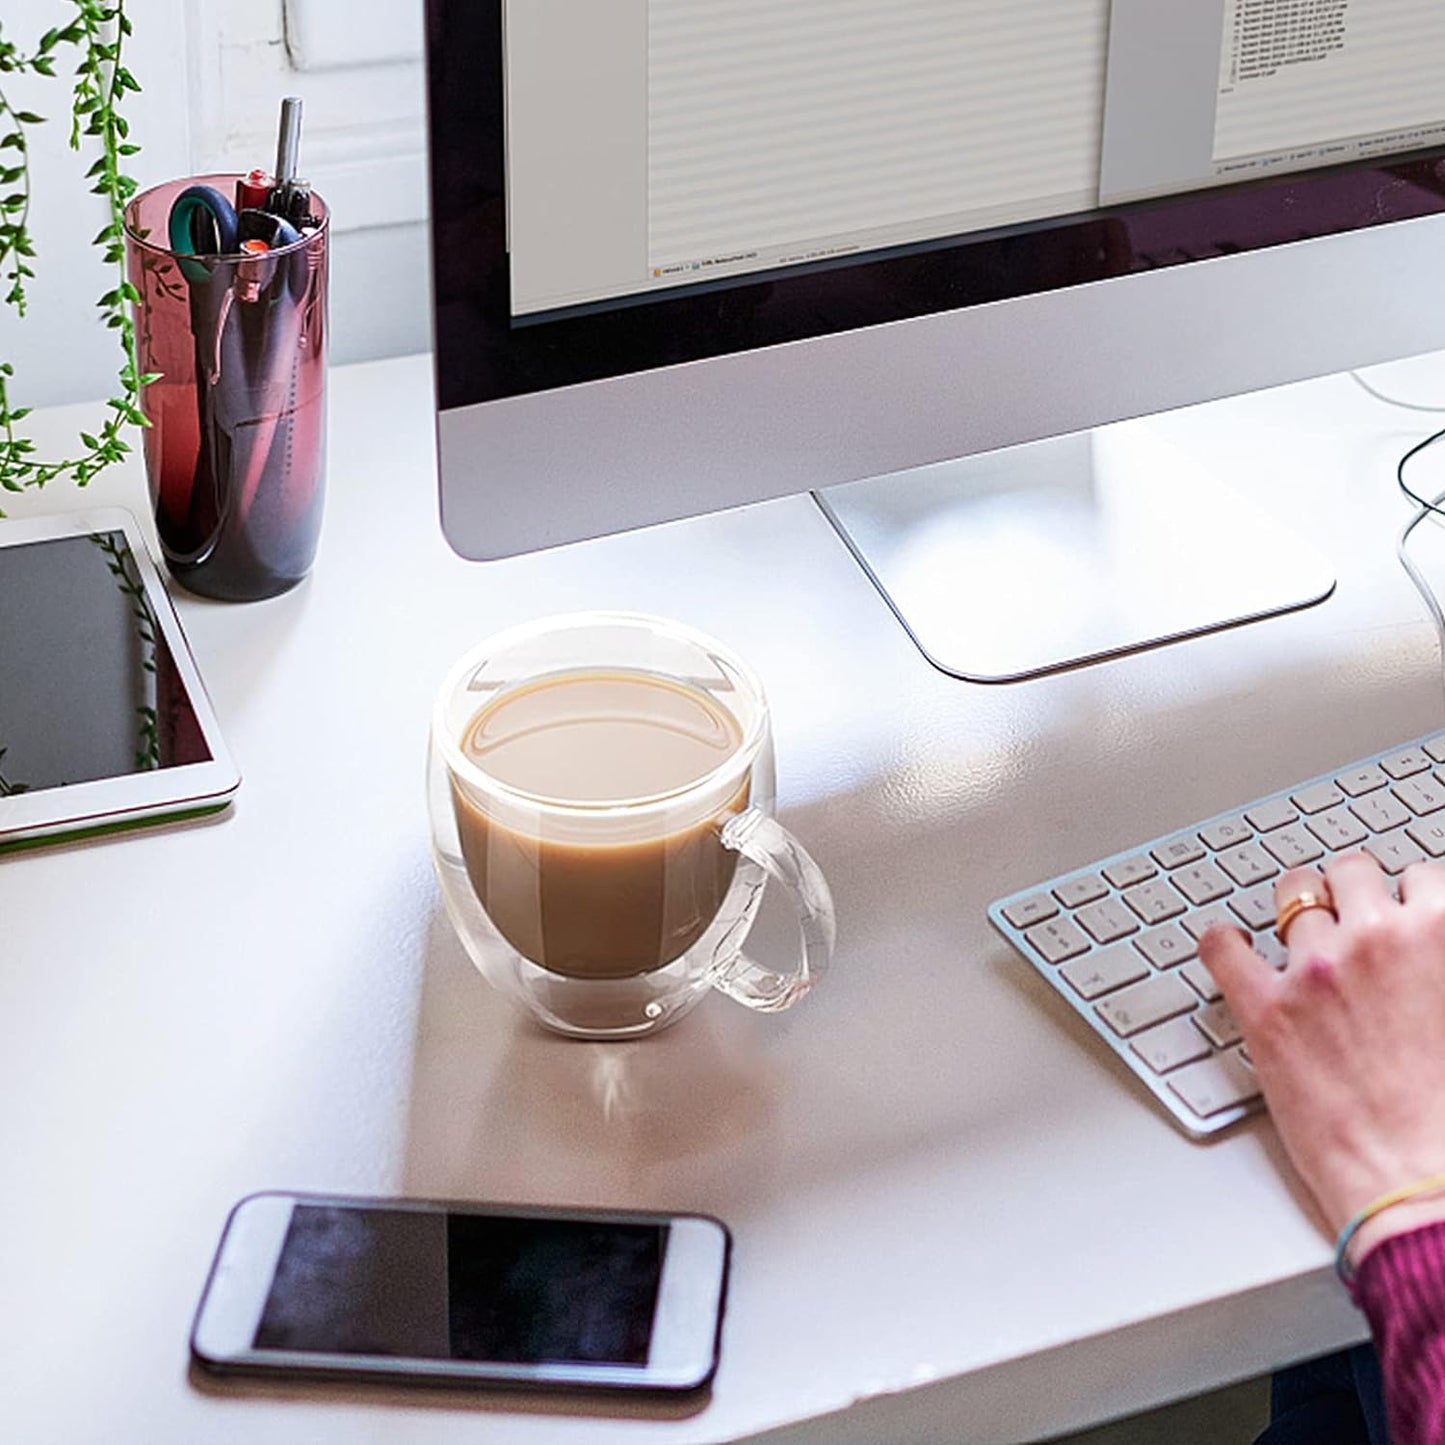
439,1293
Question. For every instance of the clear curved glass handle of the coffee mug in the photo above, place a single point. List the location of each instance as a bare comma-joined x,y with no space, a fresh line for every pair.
785,860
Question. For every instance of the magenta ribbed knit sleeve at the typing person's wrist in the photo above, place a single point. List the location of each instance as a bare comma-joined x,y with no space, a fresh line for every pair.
1401,1288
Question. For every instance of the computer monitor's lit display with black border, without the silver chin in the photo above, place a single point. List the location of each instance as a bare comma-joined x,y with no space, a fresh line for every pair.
634,186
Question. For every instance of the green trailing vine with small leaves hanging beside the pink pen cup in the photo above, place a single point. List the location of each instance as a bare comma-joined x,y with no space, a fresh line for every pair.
98,37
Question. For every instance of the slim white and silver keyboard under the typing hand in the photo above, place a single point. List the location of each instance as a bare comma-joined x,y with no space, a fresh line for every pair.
1118,939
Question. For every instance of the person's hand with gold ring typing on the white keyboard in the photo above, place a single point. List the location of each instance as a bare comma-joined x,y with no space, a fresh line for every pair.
1349,1041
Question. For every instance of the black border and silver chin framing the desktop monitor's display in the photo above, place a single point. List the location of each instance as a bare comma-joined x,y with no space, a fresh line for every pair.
599,424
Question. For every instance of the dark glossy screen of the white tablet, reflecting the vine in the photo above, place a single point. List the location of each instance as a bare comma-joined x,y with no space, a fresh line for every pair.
89,687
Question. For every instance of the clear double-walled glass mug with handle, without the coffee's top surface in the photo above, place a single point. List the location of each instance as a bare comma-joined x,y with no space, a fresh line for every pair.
613,917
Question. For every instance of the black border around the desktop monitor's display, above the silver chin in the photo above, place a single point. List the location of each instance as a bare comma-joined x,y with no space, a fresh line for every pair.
485,353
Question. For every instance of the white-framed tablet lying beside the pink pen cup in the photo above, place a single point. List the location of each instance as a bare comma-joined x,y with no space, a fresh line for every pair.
103,719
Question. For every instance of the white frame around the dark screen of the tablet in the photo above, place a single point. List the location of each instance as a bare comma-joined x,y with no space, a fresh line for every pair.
108,804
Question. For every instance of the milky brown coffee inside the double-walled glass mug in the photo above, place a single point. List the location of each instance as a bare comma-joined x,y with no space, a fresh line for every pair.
606,910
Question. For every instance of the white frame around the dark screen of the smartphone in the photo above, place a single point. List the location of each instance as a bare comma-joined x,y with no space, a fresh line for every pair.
687,1321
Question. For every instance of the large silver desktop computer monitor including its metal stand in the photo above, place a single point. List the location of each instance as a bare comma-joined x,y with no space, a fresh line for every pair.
699,254
